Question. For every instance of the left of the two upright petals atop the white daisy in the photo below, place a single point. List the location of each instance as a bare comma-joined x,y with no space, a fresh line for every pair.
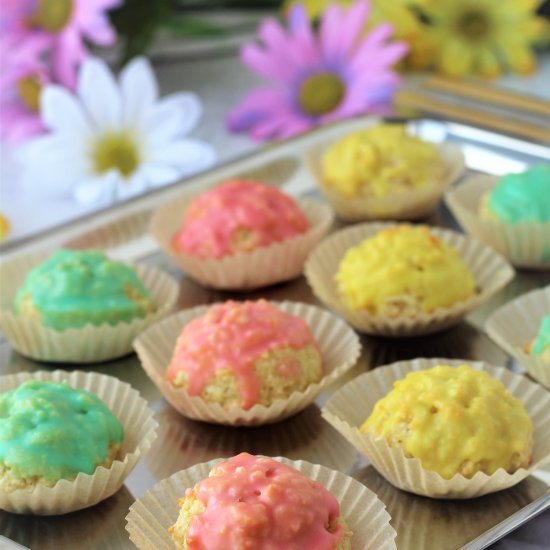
100,95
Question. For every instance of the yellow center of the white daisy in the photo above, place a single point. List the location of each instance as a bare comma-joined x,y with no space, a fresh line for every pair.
116,151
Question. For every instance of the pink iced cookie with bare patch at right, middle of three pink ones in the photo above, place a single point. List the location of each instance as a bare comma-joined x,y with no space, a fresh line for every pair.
242,353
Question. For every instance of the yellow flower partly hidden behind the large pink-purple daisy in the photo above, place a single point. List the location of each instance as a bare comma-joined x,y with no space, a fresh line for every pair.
405,23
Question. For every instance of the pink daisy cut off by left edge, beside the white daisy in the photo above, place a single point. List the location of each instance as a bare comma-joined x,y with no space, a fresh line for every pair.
22,77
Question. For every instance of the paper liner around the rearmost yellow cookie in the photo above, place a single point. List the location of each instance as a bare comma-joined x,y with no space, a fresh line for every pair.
408,205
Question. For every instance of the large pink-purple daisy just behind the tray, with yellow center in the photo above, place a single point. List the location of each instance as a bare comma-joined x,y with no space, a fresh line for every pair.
319,77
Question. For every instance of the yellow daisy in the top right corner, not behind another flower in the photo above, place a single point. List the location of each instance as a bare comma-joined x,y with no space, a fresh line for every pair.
479,36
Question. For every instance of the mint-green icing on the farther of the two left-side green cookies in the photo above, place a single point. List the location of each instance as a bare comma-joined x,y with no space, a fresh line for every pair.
73,288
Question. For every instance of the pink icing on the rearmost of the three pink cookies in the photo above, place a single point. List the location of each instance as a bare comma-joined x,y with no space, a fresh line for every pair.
212,219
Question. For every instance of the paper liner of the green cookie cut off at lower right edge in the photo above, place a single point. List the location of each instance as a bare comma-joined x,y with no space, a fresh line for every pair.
517,323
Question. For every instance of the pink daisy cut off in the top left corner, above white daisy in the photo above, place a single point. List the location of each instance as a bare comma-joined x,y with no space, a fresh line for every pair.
67,23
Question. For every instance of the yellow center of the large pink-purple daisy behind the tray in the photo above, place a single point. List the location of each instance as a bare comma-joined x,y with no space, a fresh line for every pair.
321,93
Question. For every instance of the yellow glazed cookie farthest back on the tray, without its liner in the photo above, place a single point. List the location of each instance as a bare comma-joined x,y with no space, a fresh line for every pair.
380,161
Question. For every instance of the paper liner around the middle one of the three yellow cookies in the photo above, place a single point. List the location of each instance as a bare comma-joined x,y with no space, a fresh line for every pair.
488,268
